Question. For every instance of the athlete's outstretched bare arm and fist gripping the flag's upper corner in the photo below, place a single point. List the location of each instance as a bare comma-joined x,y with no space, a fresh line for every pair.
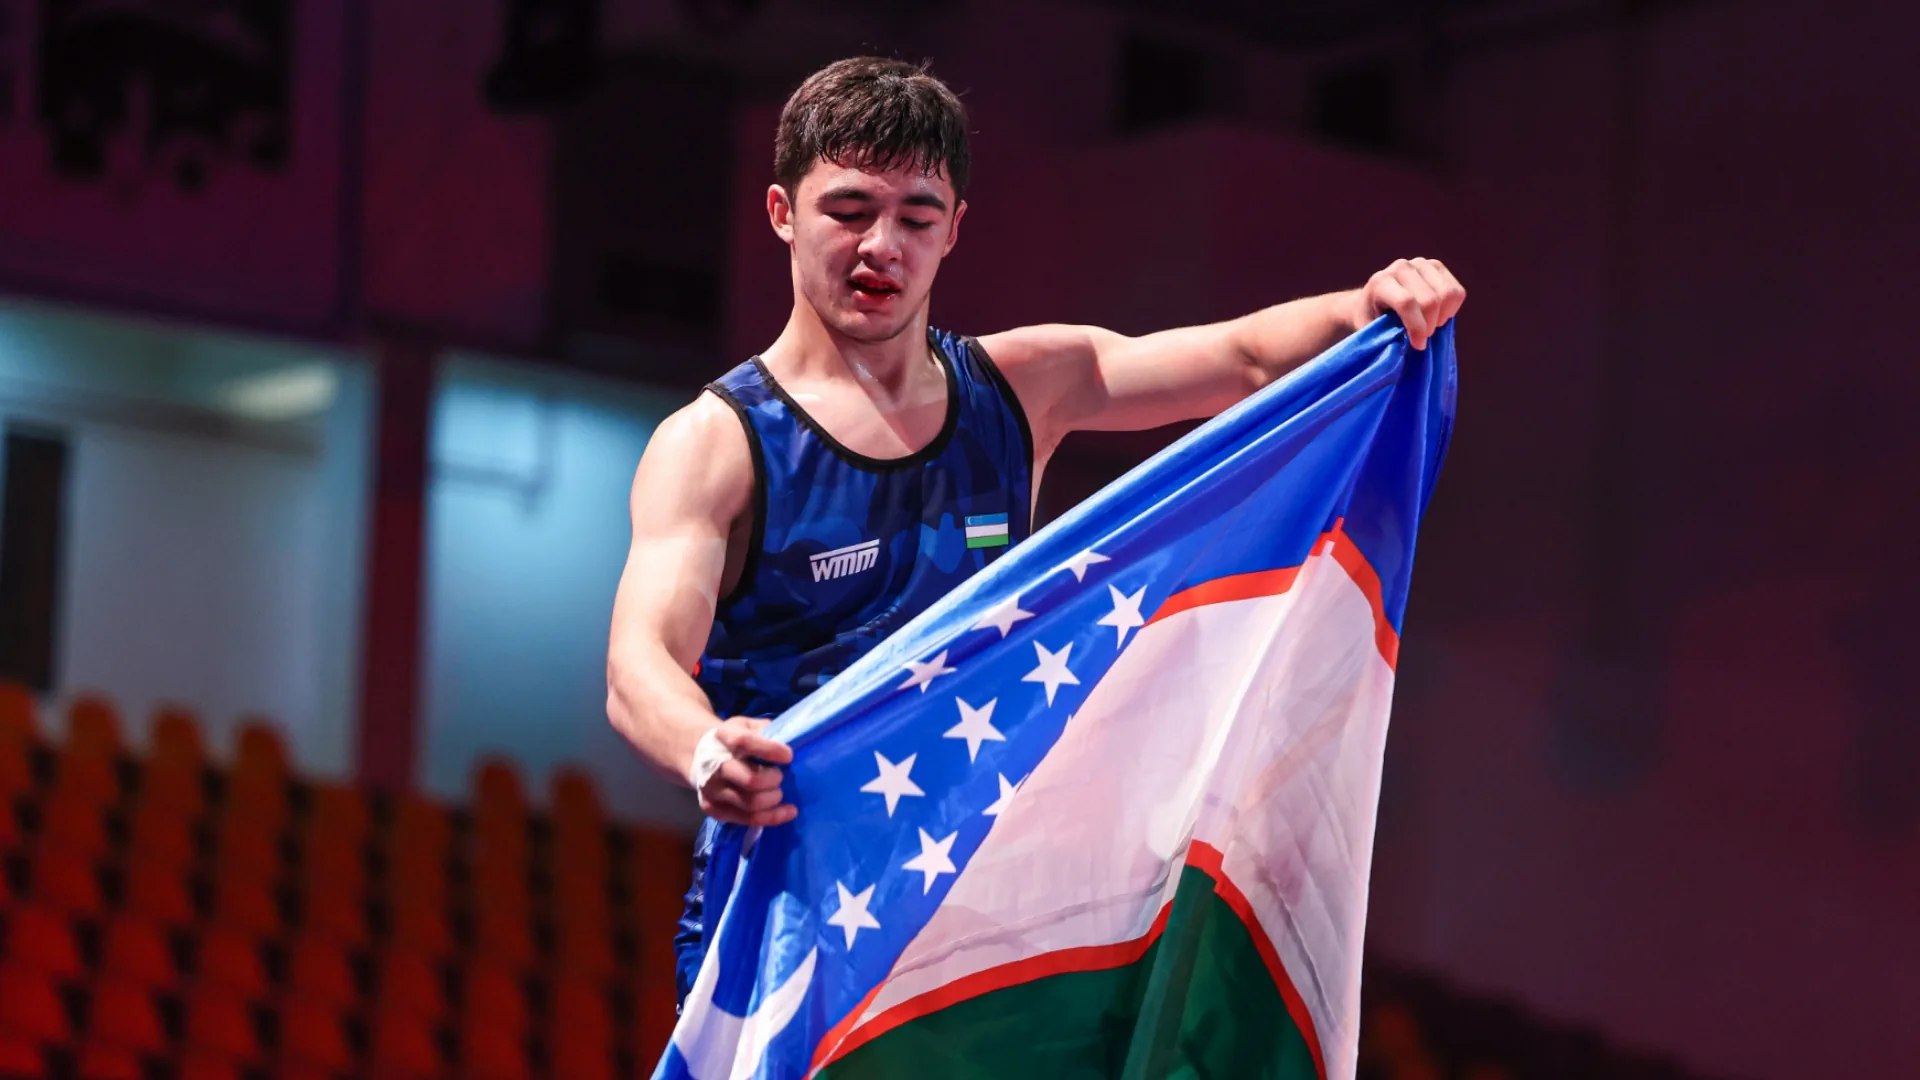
1092,380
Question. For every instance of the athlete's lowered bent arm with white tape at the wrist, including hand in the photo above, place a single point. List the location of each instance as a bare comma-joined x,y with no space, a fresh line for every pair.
692,487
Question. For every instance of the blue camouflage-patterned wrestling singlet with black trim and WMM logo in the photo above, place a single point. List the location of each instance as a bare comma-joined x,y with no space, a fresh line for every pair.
848,549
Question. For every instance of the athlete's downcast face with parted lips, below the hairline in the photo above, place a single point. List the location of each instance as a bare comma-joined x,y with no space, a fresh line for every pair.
867,245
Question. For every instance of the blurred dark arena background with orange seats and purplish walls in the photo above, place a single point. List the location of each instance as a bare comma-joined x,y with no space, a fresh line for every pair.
331,333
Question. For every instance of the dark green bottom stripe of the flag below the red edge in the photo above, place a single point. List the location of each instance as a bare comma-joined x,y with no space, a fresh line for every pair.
1199,1002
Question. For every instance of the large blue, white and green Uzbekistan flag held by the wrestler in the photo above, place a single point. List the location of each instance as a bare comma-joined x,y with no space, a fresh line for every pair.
1109,808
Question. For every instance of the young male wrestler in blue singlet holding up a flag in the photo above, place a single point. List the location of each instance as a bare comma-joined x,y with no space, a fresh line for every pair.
830,489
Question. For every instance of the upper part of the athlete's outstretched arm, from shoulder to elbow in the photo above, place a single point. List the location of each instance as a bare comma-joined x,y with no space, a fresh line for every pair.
1095,380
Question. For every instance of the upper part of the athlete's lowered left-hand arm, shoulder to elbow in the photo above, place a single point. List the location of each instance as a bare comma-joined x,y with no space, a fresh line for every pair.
692,485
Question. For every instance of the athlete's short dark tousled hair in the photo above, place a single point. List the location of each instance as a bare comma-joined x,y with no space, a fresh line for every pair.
873,114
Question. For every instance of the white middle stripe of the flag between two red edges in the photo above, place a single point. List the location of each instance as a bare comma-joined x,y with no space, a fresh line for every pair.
1255,725
